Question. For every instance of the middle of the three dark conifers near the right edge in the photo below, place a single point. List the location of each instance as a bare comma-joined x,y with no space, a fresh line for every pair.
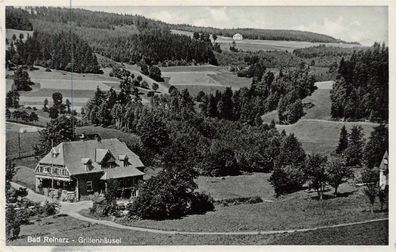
354,151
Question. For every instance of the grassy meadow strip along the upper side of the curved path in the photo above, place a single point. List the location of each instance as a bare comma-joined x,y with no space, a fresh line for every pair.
293,211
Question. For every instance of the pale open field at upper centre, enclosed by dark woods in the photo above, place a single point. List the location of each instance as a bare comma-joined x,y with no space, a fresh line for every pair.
203,78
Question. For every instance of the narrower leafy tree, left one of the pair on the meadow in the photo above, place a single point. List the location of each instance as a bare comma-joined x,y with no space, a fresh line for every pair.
315,172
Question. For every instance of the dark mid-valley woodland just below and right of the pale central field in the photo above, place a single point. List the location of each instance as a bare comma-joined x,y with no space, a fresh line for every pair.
268,92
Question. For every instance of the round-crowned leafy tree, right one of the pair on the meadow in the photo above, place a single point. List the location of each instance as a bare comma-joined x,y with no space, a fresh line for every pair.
337,172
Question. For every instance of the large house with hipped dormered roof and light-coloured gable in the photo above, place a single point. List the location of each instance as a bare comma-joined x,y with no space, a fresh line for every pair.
81,168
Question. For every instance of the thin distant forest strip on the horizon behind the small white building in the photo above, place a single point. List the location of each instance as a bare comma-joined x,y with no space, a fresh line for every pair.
262,34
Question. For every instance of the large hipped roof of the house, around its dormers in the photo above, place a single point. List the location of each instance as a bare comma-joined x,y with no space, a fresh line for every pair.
70,155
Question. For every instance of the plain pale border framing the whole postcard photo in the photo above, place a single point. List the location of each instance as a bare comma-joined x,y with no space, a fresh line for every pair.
392,116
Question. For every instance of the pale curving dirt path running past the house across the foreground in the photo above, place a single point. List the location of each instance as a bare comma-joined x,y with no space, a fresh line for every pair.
73,209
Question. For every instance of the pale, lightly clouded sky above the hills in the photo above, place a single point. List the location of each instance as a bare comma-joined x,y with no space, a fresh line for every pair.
350,23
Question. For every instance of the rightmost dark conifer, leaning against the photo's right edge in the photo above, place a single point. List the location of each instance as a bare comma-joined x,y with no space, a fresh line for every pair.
376,146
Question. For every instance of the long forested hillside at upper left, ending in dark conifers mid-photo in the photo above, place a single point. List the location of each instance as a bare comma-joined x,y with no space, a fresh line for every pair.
154,44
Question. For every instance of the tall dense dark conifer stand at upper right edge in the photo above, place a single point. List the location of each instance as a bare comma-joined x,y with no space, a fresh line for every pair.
361,89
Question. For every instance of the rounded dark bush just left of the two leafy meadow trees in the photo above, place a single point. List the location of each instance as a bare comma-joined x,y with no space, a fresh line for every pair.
287,179
